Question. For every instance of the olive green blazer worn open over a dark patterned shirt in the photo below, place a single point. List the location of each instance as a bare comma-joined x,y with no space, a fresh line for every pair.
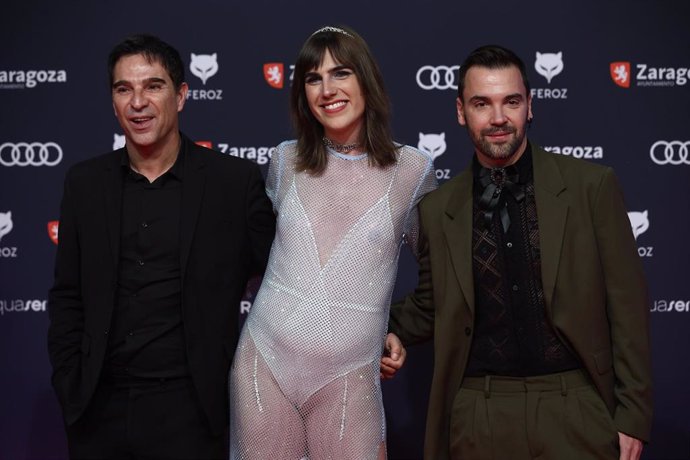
594,289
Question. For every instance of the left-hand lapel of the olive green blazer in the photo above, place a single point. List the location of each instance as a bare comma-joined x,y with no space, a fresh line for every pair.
457,227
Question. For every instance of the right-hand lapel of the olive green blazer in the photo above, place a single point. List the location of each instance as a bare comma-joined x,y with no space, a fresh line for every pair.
552,211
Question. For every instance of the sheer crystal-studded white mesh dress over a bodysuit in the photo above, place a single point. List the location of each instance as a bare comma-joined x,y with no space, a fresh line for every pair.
305,378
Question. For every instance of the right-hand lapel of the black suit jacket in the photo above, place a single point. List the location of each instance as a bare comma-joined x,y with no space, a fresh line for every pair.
194,180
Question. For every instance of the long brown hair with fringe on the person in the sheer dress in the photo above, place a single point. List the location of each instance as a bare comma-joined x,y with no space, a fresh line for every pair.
350,50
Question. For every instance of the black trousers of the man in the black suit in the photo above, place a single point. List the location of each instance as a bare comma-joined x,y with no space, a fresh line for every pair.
144,420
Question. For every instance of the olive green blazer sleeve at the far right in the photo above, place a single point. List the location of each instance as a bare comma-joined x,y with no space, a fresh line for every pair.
628,311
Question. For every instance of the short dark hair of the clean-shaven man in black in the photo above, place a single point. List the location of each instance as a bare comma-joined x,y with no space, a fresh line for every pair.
154,50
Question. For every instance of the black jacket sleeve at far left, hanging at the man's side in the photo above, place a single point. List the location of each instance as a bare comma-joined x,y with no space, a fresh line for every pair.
65,305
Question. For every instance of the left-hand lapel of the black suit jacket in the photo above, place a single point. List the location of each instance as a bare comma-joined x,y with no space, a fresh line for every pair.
112,193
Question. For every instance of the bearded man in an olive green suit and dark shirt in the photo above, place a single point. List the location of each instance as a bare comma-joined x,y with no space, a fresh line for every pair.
531,286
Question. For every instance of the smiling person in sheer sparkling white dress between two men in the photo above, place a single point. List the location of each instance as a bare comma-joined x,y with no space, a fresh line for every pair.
305,378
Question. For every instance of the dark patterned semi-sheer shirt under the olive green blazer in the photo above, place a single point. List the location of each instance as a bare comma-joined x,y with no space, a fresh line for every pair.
513,336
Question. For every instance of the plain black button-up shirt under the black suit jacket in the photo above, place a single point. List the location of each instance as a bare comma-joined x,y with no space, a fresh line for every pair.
147,336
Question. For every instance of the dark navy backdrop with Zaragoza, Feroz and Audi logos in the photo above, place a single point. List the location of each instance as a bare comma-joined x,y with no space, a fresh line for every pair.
609,85
